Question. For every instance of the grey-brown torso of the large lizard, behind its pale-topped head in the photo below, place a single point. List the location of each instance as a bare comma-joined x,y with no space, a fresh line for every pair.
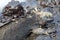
15,31
